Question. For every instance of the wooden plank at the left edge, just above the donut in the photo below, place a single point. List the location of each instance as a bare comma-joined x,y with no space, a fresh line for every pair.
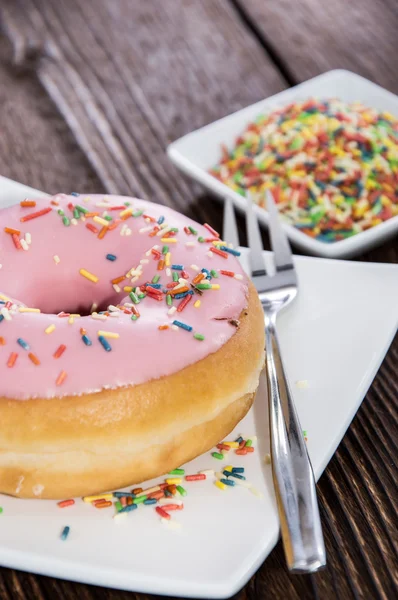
36,146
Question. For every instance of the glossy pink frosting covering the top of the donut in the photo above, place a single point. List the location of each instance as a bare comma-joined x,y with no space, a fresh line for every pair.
34,278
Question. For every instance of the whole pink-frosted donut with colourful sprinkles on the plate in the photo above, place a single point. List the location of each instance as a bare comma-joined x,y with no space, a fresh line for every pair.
131,341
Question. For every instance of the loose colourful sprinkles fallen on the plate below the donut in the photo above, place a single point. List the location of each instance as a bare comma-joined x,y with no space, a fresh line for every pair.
168,495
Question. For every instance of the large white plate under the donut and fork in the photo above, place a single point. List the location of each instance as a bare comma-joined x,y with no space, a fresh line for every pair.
331,336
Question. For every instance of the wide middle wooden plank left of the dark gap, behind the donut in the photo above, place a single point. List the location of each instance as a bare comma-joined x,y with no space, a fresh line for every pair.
112,81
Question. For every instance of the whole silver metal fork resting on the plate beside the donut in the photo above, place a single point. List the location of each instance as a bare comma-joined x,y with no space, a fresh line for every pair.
291,467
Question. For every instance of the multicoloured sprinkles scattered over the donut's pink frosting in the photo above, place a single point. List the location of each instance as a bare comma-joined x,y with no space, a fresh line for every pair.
175,285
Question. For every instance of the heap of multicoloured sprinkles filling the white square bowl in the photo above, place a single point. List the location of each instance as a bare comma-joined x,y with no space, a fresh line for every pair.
332,166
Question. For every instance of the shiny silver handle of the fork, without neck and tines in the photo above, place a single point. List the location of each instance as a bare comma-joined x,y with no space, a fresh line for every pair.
291,468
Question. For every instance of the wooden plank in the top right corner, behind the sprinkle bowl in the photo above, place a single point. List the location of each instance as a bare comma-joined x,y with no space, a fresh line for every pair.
311,37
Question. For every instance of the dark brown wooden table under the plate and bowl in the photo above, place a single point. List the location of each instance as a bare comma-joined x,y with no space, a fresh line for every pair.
91,93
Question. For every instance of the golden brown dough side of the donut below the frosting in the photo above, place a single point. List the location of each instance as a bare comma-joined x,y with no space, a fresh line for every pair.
79,445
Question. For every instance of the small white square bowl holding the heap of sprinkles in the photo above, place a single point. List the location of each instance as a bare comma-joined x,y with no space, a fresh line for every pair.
198,151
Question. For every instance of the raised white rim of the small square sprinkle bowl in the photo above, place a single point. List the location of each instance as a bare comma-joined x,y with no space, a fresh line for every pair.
344,248
